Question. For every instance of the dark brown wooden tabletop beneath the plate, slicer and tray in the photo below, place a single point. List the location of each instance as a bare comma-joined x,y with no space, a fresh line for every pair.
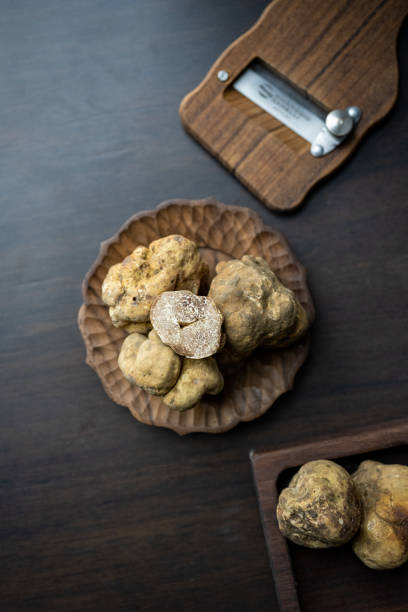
99,512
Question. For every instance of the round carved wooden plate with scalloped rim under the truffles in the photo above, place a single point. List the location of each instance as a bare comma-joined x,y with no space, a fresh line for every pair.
221,232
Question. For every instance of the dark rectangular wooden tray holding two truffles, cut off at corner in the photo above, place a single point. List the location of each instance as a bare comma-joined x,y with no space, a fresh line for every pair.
332,579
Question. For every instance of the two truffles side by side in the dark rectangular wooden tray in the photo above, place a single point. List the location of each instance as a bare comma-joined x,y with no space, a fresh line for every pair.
324,506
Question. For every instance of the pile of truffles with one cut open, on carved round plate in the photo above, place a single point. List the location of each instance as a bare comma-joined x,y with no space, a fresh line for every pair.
157,290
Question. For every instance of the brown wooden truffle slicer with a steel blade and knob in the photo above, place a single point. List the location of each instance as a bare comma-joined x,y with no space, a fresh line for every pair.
288,101
